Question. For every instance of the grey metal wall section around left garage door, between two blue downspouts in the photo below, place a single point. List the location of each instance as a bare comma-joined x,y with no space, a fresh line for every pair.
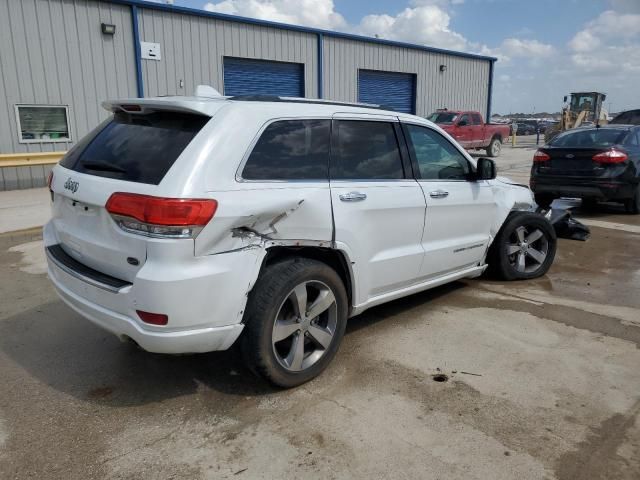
193,49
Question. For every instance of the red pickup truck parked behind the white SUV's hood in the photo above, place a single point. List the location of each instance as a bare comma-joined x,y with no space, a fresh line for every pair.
469,129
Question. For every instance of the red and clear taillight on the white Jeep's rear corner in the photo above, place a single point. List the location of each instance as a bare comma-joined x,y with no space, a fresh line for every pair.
160,217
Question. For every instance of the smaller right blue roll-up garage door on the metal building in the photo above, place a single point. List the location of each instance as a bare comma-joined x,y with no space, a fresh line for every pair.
390,89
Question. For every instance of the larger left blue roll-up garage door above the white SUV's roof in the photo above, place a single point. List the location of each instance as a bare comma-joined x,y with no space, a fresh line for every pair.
258,77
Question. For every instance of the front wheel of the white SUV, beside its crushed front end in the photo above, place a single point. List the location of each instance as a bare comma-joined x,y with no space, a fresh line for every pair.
524,248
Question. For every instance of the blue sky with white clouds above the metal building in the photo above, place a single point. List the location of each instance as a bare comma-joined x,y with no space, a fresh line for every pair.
545,48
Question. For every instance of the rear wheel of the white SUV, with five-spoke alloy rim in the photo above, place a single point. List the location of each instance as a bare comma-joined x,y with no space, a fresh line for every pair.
295,320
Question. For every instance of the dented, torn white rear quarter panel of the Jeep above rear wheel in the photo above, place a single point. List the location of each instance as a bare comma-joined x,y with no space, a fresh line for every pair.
251,214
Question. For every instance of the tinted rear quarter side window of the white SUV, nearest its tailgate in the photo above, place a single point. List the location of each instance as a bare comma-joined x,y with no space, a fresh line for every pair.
291,150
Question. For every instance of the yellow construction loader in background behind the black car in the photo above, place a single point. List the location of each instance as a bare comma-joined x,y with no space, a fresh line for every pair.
581,108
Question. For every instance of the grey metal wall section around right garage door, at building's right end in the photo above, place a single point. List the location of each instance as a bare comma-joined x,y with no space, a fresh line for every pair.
464,84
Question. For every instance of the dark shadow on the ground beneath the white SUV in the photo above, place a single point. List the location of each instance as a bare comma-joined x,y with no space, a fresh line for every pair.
65,352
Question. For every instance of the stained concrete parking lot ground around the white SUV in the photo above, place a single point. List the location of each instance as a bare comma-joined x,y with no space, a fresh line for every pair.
541,381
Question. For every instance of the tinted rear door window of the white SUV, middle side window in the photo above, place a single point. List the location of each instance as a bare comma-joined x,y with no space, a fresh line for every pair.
366,151
